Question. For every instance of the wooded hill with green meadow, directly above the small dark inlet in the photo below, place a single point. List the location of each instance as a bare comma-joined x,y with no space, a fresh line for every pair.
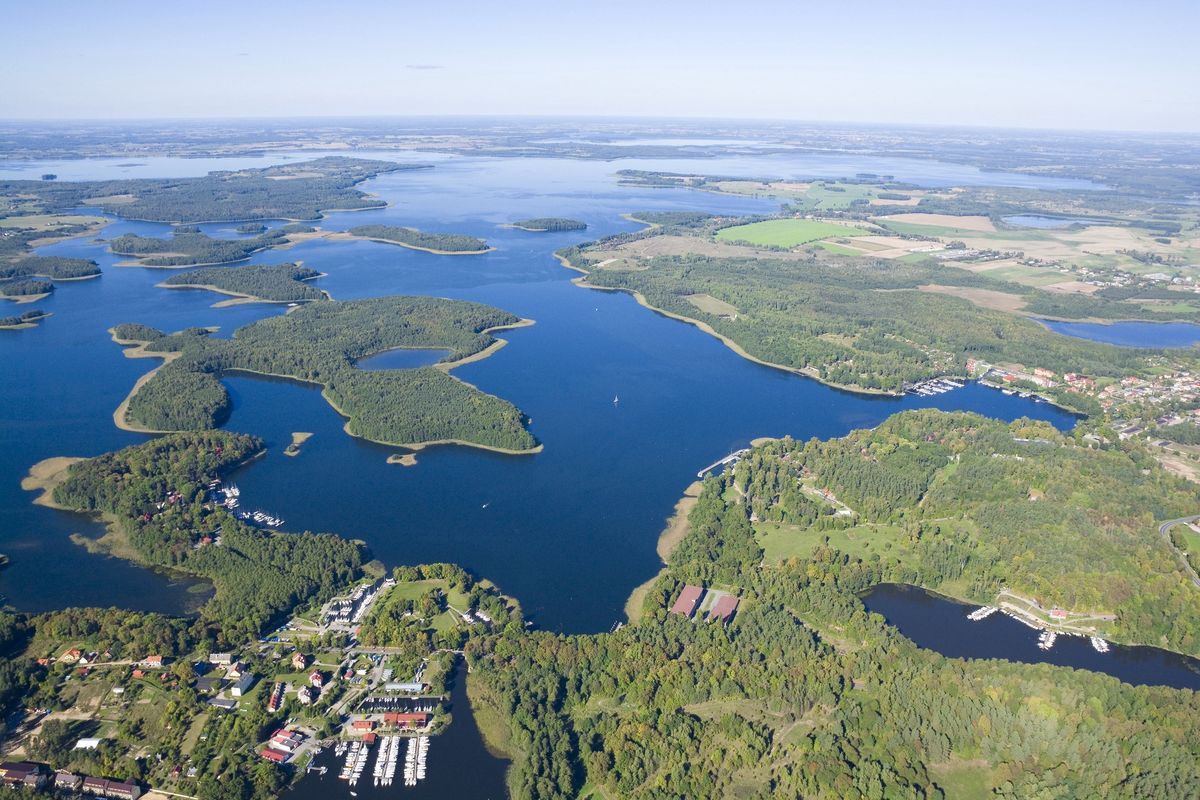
967,506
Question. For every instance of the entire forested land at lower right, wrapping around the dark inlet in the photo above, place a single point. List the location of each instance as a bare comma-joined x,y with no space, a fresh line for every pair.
806,695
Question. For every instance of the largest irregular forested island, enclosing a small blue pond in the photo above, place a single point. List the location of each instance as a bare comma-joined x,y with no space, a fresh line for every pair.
321,344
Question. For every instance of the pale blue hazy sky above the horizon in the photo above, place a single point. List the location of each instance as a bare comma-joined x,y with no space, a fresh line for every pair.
1047,64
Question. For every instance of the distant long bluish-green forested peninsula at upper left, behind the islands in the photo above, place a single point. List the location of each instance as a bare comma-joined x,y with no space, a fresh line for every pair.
297,191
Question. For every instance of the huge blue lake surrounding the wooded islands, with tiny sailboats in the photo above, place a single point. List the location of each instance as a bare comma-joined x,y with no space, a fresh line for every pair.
569,532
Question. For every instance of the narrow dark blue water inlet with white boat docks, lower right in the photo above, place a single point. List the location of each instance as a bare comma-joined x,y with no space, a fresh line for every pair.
941,624
